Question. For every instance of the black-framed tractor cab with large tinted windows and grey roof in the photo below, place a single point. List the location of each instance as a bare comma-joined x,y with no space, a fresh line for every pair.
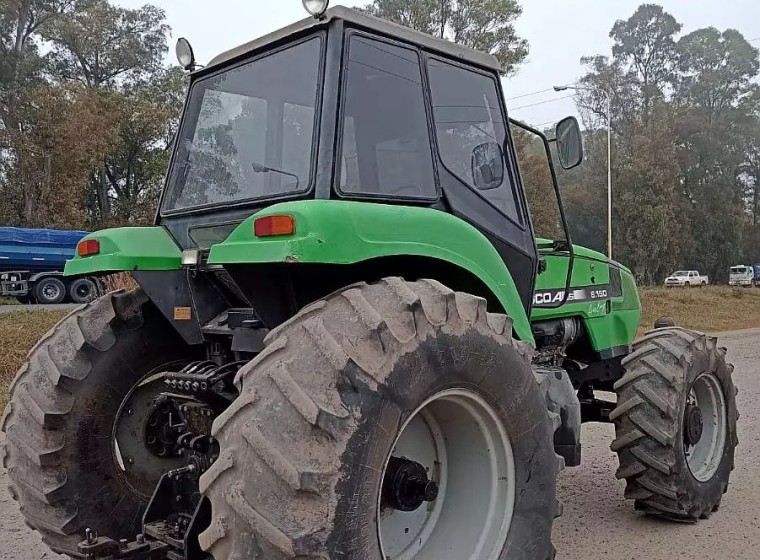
348,107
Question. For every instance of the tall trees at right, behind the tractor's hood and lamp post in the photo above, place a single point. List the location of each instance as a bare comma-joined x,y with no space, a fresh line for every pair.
686,148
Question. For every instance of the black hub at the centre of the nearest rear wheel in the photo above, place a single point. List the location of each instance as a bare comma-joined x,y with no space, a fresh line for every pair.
406,485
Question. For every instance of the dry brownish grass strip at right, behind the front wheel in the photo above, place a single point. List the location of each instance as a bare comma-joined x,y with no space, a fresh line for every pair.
708,309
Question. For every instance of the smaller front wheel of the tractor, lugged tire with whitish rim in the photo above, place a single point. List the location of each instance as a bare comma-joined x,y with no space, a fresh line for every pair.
675,424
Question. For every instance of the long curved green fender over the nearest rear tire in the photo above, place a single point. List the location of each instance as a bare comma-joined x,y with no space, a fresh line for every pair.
338,232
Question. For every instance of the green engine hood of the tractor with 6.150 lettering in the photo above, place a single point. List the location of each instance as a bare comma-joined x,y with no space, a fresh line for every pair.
609,323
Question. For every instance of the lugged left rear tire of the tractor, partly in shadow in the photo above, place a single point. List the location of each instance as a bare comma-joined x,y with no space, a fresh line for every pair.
59,423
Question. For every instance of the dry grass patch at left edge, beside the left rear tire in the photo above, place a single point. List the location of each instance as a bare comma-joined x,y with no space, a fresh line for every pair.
19,332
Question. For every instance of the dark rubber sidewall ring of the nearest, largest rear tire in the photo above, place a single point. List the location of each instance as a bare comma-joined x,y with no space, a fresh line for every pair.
499,374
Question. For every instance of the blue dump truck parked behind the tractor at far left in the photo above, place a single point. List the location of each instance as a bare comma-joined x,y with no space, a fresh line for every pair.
31,266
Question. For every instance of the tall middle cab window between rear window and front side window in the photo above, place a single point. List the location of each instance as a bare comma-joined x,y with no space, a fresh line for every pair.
386,140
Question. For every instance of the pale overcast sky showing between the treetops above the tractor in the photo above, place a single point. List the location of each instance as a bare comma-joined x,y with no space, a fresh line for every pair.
559,32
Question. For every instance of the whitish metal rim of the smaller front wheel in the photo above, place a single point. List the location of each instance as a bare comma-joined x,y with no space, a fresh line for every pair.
705,427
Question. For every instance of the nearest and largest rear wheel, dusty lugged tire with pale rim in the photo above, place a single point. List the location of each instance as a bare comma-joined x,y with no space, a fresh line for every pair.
395,369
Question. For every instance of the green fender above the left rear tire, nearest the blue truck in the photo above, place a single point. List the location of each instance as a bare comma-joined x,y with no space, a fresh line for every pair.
133,248
